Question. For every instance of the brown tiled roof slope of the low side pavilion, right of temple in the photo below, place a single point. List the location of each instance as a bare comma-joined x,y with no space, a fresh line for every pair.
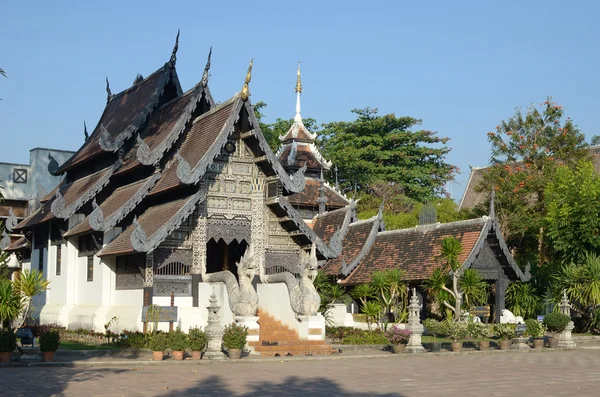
415,250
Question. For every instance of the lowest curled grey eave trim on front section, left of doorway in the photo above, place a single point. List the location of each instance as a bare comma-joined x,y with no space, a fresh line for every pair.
142,243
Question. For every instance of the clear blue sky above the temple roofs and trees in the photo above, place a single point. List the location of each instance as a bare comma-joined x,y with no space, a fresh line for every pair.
460,66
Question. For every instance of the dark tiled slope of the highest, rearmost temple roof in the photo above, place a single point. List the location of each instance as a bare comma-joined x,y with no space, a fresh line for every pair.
123,110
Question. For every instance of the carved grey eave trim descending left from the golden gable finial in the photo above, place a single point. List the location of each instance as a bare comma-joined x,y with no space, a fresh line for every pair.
189,175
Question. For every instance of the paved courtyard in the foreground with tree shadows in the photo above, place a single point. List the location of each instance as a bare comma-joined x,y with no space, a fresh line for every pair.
564,373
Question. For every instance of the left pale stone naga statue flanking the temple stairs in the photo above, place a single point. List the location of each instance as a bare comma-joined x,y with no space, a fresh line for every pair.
243,299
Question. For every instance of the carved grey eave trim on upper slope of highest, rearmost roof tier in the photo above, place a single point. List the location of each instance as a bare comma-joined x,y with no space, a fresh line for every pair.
110,144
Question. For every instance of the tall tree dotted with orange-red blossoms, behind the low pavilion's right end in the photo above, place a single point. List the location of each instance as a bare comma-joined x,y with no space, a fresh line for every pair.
526,150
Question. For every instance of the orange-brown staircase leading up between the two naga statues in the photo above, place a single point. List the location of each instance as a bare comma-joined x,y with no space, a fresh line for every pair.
275,338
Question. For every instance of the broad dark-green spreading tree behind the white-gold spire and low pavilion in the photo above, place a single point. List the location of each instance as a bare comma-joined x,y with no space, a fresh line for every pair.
382,148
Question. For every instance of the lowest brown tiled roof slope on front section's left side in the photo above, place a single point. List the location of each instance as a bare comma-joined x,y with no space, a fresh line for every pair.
151,221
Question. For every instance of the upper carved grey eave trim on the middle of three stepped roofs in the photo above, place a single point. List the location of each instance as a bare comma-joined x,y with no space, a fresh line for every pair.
152,157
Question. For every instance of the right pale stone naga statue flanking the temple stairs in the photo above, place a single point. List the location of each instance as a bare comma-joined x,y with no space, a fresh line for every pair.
304,298
